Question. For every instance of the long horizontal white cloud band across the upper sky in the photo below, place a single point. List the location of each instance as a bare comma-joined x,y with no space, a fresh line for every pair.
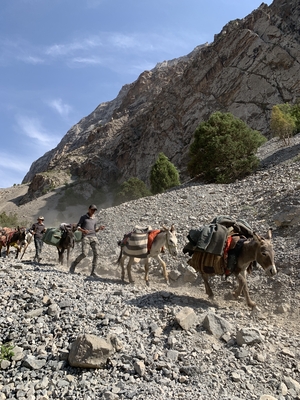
108,49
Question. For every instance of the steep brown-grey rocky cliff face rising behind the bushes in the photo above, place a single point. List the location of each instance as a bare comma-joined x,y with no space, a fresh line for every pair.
252,64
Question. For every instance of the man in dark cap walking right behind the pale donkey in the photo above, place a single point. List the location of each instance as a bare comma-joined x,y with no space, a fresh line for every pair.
87,225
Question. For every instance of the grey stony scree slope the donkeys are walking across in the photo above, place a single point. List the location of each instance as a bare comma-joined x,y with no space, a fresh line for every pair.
164,341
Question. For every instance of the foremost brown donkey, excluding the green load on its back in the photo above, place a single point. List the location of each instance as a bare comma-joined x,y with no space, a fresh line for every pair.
256,249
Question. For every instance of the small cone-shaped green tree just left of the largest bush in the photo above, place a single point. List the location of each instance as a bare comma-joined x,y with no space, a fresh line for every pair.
163,175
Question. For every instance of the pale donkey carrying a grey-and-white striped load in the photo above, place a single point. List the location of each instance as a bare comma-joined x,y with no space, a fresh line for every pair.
140,253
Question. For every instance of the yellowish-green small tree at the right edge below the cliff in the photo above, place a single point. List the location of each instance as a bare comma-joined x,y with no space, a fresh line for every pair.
283,122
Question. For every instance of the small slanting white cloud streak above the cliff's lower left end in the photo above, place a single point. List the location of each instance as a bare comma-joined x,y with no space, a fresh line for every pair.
32,128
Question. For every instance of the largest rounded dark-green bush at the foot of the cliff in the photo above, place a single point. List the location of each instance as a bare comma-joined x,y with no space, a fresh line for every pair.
224,149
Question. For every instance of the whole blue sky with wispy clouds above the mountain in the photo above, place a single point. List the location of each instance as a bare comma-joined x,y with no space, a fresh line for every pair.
59,59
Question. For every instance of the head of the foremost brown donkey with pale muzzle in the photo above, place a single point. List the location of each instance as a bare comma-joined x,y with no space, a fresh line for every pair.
265,253
